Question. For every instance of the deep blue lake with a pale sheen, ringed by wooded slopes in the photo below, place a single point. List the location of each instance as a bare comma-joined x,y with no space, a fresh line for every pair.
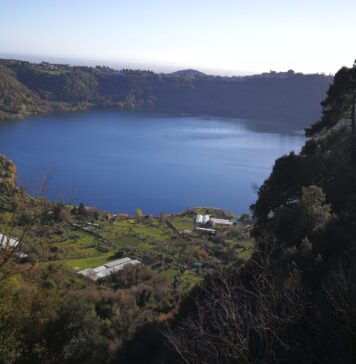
119,161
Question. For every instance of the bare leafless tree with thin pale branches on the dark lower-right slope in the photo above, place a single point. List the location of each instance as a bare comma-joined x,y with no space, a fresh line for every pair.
239,319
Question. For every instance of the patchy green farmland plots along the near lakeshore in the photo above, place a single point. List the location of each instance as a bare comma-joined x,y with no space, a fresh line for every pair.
158,243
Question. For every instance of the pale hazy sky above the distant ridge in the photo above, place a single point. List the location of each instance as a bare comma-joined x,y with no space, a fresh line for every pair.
221,35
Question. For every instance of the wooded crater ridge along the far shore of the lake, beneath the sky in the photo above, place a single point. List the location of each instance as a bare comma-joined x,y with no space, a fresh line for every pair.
292,98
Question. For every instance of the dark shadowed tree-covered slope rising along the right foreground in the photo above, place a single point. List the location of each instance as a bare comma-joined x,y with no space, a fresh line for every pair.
295,300
